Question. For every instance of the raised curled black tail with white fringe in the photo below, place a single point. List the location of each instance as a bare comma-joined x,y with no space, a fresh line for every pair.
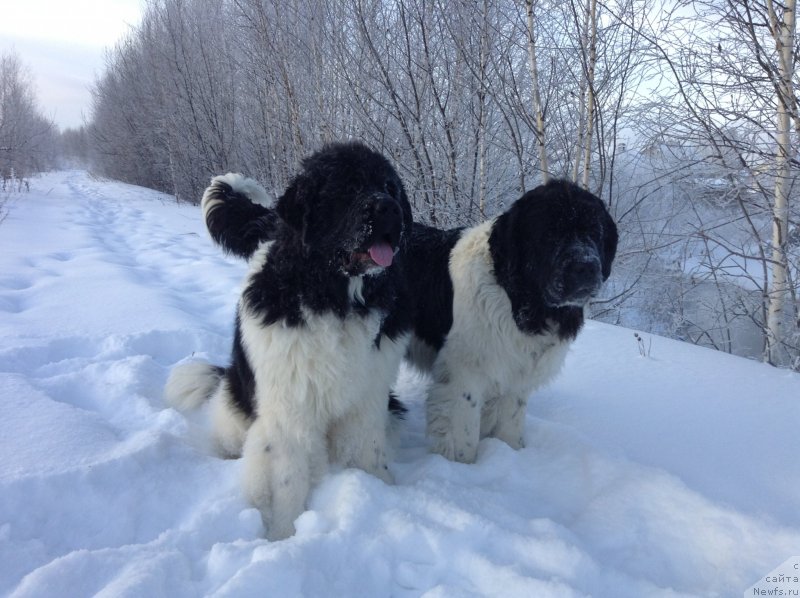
236,213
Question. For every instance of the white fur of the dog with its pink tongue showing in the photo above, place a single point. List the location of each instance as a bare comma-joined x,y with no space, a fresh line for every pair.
321,396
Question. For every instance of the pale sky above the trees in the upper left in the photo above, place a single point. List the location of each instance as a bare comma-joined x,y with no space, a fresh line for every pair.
62,43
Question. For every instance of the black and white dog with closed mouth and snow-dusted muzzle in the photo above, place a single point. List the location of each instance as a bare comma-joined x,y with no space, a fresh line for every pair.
497,306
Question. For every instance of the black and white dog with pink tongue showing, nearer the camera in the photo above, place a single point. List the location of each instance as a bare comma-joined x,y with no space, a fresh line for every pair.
321,327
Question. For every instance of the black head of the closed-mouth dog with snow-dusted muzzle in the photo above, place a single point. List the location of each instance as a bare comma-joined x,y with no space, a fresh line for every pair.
552,250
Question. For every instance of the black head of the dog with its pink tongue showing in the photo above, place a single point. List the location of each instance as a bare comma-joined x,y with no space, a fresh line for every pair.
349,208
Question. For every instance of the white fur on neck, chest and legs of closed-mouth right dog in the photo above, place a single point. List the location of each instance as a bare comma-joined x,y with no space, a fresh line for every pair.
487,368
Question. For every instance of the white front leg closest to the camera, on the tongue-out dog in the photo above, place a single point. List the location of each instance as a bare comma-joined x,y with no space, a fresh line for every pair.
280,467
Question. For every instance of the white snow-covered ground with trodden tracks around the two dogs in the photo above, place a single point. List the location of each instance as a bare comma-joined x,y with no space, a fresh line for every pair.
671,474
